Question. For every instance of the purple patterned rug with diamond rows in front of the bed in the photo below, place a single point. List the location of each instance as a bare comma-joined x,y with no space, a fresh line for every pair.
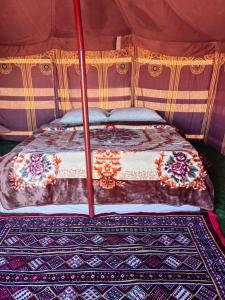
135,257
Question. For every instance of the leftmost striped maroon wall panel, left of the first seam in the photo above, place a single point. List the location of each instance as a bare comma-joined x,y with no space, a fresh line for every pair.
26,95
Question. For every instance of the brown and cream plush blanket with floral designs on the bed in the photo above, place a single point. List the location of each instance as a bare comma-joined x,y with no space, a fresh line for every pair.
131,163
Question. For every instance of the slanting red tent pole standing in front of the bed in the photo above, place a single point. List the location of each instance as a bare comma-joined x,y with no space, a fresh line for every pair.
83,83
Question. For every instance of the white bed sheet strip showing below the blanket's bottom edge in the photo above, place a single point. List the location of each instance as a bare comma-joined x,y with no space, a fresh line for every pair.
100,209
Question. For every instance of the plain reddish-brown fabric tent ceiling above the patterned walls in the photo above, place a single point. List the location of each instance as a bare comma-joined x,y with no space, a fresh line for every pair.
29,22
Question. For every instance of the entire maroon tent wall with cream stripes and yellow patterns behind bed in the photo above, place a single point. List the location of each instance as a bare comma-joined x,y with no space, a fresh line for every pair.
187,91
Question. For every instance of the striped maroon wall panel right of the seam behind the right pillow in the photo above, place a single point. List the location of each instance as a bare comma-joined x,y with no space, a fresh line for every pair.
177,87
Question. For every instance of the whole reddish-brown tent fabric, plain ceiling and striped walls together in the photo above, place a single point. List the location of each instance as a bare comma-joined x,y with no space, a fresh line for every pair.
167,55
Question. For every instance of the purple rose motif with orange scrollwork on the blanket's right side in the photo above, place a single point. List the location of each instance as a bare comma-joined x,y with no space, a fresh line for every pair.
178,169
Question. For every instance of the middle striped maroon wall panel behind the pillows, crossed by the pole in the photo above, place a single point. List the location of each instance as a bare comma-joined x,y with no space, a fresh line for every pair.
108,76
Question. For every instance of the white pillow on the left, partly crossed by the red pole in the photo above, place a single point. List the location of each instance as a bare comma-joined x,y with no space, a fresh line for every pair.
74,117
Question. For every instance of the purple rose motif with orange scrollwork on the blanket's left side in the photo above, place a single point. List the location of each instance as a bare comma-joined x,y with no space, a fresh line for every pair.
34,170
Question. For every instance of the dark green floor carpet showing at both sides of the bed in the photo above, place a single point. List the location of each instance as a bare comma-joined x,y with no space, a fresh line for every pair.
216,172
